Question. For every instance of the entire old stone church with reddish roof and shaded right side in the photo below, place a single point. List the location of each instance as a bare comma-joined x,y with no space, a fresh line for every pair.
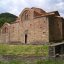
33,26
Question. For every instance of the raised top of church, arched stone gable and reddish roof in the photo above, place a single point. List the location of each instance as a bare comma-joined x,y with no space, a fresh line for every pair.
29,13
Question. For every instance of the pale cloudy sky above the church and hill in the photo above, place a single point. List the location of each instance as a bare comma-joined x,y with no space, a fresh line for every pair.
16,6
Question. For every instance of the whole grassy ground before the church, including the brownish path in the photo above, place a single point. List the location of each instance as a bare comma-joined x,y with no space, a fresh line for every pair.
26,51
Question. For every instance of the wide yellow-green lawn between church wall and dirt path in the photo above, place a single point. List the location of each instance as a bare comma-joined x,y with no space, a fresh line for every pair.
24,50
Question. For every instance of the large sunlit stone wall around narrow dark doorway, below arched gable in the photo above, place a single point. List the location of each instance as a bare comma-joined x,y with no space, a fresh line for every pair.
36,30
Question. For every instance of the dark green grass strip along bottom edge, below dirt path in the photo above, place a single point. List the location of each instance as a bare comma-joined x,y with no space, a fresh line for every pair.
33,62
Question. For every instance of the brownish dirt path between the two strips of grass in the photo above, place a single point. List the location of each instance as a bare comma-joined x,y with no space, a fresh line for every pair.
26,58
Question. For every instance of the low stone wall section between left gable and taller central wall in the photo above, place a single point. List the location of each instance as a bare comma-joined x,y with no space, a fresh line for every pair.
14,32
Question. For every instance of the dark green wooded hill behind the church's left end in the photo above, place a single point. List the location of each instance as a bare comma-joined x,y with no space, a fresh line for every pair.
7,17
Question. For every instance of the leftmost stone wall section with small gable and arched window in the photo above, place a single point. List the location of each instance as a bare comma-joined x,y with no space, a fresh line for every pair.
4,33
